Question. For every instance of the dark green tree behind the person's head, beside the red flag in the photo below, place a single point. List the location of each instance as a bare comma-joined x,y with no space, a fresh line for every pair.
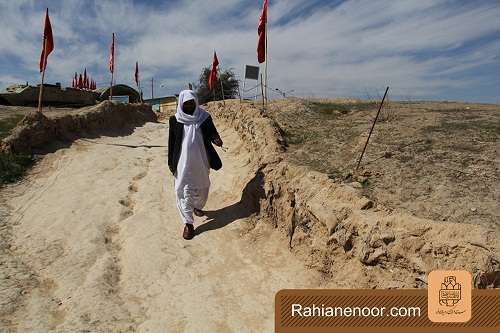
229,84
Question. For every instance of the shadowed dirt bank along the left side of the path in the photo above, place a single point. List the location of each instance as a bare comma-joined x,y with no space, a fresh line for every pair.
36,130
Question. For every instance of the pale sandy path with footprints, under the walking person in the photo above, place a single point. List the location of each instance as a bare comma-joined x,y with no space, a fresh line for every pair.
92,243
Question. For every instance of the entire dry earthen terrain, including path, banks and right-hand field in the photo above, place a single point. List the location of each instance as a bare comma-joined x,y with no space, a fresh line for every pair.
91,238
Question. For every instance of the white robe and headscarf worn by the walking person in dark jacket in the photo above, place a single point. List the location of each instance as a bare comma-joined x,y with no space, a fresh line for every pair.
191,179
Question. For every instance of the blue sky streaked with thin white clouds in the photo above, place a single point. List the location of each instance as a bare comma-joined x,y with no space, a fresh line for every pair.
422,49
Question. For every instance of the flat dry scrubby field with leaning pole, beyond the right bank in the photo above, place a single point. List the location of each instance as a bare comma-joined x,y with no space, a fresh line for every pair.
436,160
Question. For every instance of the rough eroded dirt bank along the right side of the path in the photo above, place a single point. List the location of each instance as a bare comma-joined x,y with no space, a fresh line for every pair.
333,226
